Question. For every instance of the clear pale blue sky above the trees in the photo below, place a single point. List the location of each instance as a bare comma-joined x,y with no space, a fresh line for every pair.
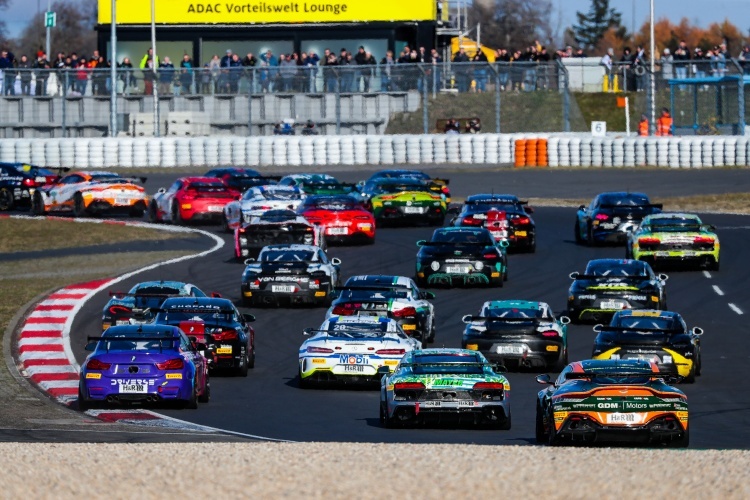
700,12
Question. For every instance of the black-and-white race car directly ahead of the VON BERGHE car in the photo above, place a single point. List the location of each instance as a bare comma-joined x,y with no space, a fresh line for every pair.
275,227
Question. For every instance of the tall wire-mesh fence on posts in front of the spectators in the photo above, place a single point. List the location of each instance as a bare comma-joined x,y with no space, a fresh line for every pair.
558,96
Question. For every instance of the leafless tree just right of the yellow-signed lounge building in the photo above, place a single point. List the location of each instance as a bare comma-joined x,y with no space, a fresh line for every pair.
513,23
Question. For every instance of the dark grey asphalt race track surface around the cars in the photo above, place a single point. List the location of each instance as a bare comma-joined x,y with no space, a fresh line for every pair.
269,403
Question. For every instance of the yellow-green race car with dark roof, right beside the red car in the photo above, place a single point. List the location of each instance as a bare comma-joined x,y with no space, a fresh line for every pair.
403,200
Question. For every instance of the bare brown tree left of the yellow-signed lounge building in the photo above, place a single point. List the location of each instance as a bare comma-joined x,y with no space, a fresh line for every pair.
74,31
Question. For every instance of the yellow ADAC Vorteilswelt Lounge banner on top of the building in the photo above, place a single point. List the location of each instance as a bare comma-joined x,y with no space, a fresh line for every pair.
267,11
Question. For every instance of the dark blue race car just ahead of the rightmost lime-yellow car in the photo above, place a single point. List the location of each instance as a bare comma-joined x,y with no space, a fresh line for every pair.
610,216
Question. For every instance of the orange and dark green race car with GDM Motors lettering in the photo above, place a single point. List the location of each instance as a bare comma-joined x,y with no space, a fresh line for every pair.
599,401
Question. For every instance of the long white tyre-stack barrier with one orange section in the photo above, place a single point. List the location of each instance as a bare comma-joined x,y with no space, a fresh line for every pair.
521,150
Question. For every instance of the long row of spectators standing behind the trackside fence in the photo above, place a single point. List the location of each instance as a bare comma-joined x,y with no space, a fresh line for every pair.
411,69
